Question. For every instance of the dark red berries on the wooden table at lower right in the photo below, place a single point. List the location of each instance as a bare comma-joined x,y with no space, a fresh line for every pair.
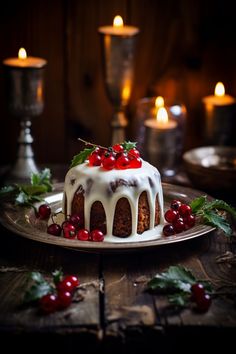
200,297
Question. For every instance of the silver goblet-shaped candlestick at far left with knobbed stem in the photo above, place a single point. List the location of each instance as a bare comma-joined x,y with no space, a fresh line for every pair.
24,88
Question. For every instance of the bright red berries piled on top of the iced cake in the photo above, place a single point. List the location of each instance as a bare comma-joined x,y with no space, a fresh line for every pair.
115,157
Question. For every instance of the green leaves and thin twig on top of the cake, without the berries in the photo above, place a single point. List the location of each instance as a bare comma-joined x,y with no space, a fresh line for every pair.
84,154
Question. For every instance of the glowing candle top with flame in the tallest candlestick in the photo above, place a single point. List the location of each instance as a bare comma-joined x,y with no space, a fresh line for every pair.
119,29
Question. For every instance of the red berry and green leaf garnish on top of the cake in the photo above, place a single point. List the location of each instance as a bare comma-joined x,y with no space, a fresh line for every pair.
119,156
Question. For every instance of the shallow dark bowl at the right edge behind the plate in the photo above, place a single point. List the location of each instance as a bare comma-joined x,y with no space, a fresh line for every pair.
212,168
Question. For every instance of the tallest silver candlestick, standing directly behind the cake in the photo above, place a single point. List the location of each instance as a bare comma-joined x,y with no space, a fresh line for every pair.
118,47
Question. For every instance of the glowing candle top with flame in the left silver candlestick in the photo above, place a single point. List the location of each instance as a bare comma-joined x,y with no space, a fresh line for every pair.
23,61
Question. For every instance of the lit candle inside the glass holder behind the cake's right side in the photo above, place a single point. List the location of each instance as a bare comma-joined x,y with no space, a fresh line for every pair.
160,142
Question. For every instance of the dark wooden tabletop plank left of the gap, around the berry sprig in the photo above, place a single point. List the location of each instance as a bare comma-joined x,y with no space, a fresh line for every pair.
17,258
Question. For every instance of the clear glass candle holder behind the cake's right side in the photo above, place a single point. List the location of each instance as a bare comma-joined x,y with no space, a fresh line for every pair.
161,144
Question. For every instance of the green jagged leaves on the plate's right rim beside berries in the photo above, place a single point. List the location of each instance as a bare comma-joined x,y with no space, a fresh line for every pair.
214,213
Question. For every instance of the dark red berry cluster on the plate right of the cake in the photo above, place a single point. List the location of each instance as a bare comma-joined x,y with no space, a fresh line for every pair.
179,218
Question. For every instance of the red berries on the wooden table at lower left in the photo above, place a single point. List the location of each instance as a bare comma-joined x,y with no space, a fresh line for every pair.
61,297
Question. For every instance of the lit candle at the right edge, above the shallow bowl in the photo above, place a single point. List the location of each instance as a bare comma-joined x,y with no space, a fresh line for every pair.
219,117
